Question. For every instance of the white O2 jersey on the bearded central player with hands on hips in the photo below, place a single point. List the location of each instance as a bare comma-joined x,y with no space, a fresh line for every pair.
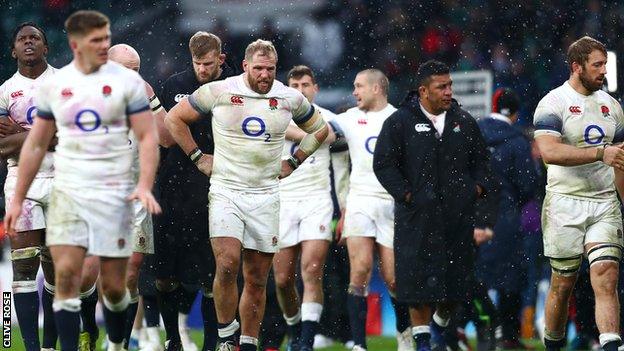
248,130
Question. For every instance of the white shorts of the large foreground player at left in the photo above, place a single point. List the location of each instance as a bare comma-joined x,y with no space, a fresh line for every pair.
98,220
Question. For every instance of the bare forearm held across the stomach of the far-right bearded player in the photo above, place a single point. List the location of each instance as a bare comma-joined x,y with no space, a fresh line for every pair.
555,152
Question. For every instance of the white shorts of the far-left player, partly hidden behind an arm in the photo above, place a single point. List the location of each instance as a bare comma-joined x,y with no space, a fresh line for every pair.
35,205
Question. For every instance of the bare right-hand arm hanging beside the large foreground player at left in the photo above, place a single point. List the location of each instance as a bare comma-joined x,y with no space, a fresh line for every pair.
142,125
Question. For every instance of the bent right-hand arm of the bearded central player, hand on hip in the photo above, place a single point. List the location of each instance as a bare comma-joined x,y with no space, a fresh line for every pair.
316,130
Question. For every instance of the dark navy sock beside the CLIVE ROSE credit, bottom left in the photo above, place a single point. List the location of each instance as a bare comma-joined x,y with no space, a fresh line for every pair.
27,309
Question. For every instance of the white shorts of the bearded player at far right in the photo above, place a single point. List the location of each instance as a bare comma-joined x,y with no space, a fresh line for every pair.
568,224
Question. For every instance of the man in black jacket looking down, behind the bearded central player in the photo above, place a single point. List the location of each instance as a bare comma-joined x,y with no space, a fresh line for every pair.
183,255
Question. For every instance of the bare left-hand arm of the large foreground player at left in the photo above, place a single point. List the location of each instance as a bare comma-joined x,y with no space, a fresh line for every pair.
32,154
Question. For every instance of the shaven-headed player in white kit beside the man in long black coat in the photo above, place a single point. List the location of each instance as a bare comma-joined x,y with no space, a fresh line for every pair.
368,222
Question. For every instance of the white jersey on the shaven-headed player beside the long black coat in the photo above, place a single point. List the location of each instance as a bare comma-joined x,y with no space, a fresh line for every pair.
361,130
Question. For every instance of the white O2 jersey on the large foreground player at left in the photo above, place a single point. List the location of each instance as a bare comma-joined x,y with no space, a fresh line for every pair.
91,114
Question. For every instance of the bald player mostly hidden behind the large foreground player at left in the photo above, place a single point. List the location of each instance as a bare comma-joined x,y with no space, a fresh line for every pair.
143,242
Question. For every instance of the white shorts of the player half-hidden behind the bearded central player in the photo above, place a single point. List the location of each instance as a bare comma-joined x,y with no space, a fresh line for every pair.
307,219
